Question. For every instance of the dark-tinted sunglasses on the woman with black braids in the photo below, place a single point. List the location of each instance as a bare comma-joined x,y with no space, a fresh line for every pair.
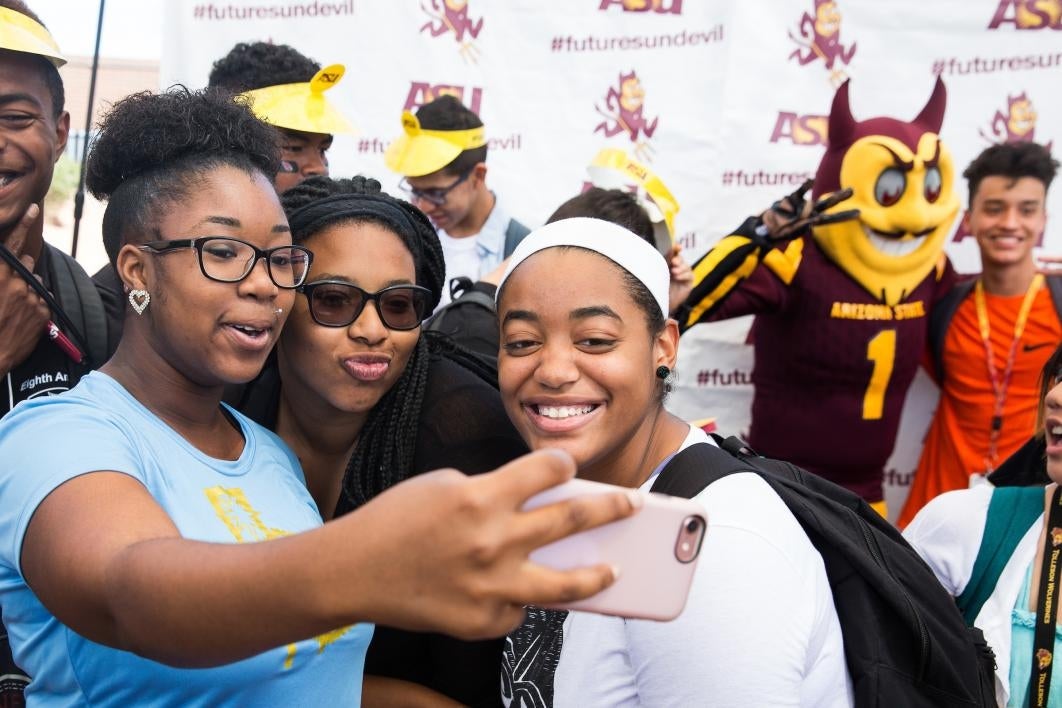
338,304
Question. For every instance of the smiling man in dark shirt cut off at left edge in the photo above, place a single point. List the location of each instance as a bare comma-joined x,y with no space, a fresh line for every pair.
35,131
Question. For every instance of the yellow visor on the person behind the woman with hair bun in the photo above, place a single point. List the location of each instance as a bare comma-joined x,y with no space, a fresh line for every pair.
302,107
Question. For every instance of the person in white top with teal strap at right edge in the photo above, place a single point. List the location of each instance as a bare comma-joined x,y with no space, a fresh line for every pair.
952,531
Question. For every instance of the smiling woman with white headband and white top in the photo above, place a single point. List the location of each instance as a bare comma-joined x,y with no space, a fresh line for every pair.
587,352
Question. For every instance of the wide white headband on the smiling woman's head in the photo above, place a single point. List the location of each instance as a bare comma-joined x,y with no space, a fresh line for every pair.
620,246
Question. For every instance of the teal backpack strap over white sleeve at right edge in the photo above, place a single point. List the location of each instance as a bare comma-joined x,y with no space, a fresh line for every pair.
1012,513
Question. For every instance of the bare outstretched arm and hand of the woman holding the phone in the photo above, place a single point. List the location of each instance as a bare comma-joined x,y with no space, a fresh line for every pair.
441,552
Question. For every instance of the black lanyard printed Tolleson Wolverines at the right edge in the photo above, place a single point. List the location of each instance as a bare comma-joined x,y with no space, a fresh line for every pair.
1043,644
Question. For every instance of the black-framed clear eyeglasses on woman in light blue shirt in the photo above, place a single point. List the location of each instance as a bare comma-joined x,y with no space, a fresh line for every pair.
226,260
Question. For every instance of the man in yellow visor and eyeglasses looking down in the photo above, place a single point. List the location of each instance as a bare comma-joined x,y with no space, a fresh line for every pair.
442,158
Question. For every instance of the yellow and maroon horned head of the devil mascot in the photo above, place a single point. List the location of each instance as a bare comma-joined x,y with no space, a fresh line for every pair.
903,183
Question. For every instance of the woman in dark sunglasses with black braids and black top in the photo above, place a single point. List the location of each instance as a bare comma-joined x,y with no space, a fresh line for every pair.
367,401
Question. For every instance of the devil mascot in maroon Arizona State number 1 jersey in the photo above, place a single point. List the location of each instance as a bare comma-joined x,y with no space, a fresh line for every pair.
843,312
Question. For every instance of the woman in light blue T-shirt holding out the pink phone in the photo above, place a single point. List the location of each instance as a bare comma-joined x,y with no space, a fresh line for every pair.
158,548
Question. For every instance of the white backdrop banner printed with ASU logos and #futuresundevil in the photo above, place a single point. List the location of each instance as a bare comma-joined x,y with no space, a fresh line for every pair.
726,101
